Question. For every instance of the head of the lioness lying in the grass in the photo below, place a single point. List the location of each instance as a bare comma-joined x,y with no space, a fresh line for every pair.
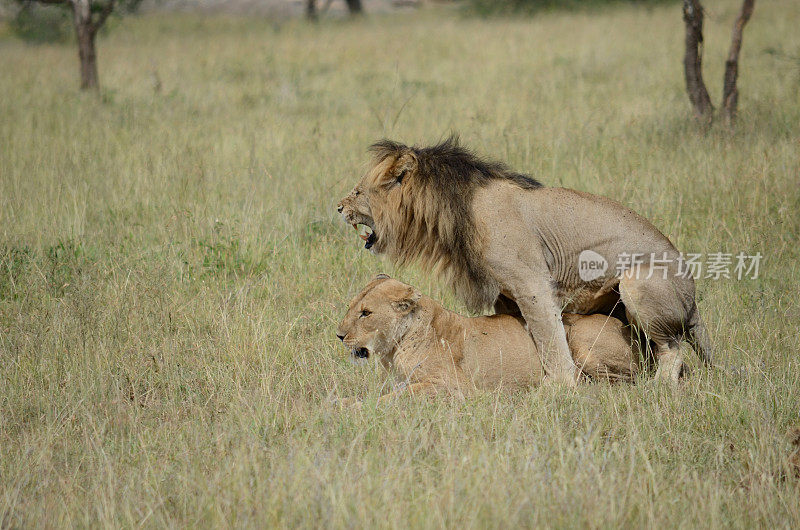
378,317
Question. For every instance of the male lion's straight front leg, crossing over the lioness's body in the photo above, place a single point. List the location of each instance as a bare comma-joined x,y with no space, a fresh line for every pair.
542,314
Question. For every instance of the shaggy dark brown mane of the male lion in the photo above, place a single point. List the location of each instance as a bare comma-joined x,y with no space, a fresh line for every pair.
435,225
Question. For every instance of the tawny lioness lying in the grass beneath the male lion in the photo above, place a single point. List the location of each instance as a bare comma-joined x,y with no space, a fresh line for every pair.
438,351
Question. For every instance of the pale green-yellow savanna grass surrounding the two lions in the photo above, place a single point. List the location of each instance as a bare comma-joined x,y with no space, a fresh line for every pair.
172,270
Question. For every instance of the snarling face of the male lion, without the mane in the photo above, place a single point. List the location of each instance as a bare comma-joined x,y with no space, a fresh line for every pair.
378,192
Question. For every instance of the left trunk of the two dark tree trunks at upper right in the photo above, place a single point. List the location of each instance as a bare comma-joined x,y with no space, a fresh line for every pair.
698,94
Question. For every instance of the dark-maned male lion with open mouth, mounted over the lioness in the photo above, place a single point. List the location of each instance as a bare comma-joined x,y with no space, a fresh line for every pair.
502,238
